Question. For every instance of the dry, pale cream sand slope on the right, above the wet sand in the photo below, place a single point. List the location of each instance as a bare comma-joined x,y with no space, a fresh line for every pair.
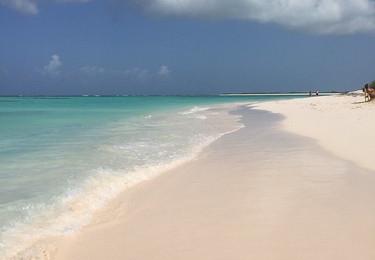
341,124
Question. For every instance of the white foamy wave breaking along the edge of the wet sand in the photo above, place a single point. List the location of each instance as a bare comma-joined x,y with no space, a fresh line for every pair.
75,208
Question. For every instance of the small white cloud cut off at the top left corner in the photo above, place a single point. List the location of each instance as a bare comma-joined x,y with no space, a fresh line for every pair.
31,6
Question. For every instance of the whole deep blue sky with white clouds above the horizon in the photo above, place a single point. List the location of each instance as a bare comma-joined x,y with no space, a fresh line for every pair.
184,47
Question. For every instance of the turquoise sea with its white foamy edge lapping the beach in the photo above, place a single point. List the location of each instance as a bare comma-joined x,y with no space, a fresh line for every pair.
61,158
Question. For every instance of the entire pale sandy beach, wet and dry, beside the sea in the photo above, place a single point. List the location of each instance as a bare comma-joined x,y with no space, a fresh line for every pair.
259,193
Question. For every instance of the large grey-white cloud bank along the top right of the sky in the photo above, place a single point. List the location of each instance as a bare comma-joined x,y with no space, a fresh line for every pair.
320,16
